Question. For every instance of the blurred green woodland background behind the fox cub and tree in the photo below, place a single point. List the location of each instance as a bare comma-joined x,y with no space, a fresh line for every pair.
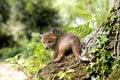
22,20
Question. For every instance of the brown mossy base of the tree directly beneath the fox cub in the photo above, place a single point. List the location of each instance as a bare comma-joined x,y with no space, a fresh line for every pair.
68,61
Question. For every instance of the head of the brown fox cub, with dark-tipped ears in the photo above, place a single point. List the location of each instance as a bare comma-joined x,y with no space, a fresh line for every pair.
49,39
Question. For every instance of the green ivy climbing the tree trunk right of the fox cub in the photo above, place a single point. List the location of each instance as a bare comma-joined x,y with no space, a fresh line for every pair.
103,63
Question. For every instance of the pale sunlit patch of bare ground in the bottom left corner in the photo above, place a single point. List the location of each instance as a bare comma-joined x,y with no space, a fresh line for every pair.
9,73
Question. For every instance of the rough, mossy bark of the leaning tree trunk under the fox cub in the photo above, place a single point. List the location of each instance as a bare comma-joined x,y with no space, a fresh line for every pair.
112,26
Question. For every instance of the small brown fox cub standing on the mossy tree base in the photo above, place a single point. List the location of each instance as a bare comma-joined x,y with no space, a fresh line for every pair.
60,45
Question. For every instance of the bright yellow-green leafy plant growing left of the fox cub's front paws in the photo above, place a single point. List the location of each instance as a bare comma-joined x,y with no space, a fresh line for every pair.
31,65
